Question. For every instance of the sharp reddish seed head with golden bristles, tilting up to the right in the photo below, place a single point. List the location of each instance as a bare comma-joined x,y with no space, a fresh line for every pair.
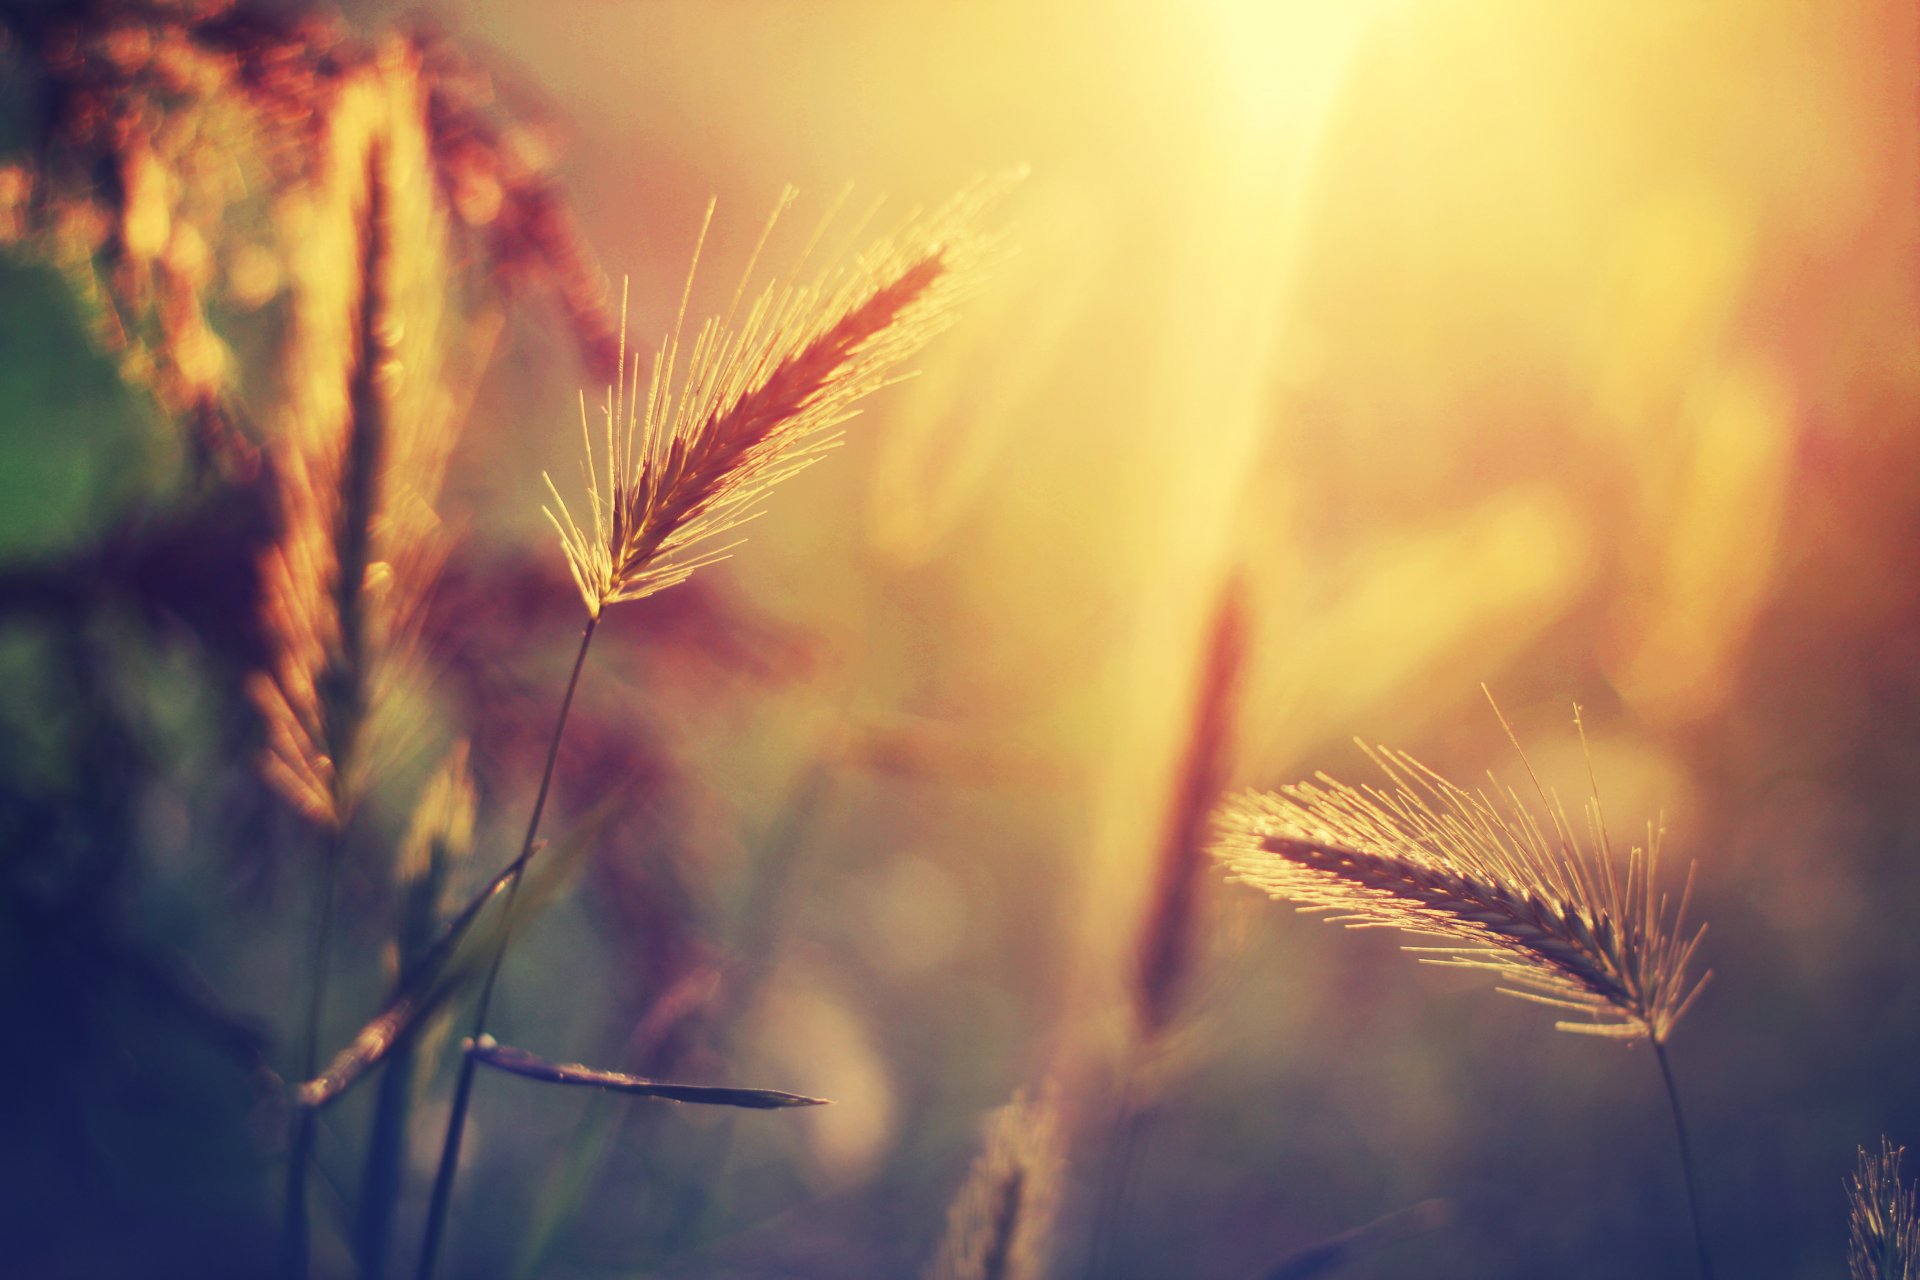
688,460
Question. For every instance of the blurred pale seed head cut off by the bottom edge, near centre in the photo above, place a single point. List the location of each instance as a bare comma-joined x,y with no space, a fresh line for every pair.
1003,1220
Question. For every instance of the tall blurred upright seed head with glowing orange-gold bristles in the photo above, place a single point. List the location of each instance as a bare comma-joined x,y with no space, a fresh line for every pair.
368,440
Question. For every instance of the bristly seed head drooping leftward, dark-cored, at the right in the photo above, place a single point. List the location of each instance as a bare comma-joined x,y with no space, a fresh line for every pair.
1548,913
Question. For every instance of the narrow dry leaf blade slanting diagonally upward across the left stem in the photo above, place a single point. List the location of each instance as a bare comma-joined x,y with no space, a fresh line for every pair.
456,959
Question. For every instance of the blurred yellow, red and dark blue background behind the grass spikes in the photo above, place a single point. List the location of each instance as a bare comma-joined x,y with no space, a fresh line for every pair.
1570,350
